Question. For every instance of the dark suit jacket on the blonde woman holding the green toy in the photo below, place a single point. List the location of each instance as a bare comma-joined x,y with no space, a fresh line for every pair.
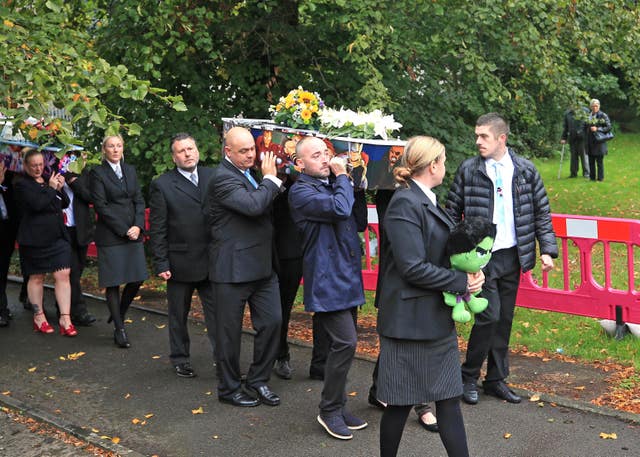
415,271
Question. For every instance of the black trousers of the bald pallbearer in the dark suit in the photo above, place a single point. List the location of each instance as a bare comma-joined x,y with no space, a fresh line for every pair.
264,304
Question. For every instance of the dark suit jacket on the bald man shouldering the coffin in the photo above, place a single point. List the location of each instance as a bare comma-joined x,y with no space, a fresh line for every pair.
241,248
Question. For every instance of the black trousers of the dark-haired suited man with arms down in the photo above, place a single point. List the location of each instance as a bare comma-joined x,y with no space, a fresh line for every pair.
179,298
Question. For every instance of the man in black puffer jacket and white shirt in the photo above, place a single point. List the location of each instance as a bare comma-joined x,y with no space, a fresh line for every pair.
507,189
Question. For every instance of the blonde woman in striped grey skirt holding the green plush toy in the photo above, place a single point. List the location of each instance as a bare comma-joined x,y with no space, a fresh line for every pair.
419,358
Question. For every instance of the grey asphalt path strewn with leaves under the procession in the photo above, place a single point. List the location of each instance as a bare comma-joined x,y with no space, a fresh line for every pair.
134,395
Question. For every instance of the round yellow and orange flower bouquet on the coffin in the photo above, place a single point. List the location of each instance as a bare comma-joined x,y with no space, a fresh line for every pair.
299,109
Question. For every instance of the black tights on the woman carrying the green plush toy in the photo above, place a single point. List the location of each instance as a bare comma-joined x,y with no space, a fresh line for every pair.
450,423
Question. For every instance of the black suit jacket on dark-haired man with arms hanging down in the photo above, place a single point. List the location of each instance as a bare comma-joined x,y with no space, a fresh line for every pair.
179,235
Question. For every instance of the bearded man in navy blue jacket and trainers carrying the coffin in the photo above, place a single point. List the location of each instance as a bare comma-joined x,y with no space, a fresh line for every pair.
322,209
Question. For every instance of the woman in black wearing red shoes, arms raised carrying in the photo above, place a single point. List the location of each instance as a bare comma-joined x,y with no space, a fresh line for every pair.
43,240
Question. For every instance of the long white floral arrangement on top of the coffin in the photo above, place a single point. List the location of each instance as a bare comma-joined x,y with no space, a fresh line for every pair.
349,123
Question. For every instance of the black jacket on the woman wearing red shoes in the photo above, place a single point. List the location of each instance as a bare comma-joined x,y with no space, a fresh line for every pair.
41,222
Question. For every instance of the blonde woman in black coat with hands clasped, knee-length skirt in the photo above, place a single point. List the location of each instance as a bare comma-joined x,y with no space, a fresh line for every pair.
117,200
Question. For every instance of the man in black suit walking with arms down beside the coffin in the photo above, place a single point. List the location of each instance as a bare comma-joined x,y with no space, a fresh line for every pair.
179,241
